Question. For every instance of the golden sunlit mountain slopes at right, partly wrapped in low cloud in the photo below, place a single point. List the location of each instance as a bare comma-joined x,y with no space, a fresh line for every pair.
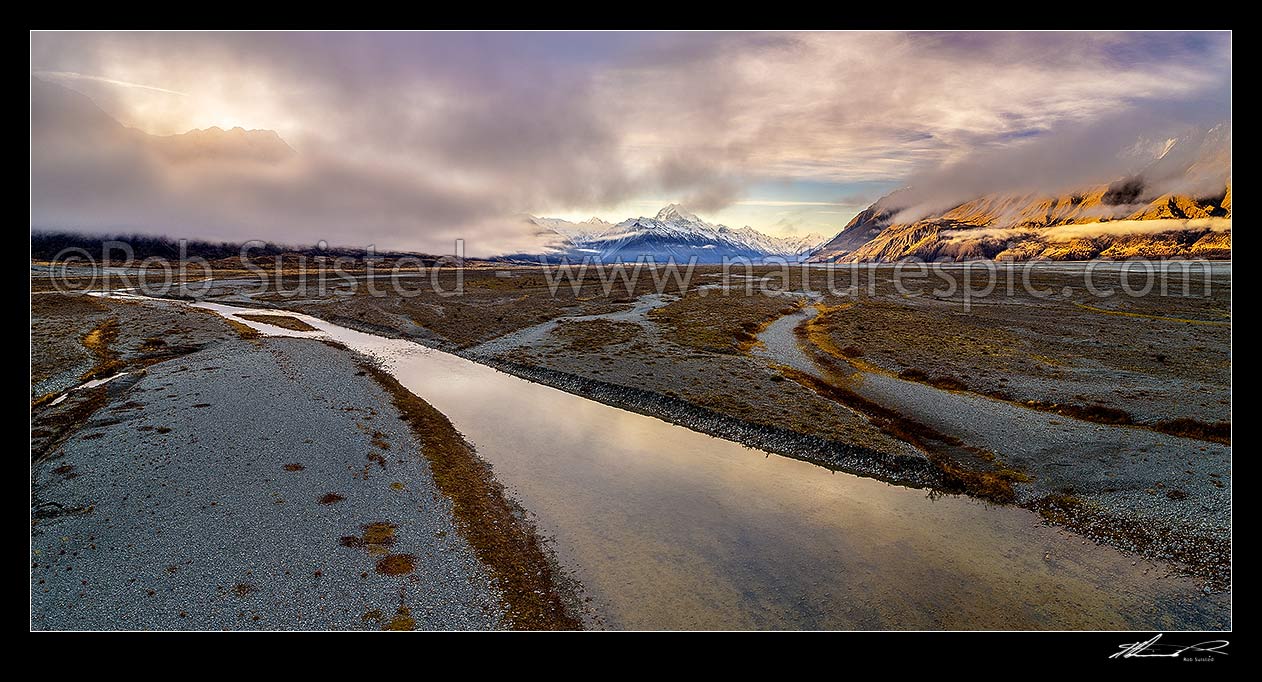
1179,205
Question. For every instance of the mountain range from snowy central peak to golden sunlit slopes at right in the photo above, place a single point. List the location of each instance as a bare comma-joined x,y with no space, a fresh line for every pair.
1176,204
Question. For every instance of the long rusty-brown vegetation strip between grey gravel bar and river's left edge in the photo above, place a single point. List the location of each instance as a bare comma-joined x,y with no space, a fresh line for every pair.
495,527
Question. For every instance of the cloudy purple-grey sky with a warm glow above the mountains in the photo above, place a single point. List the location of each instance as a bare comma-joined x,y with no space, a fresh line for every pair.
455,135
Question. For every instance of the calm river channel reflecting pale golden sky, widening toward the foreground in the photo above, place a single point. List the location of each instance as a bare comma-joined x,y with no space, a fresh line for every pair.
668,529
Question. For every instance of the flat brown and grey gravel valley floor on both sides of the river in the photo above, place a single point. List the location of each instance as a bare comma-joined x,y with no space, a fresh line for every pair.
1107,416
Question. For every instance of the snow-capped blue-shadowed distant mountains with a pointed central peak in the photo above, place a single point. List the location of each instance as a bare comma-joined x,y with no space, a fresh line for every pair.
676,233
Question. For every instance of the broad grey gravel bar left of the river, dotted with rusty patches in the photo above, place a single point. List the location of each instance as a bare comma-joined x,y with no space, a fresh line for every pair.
251,486
